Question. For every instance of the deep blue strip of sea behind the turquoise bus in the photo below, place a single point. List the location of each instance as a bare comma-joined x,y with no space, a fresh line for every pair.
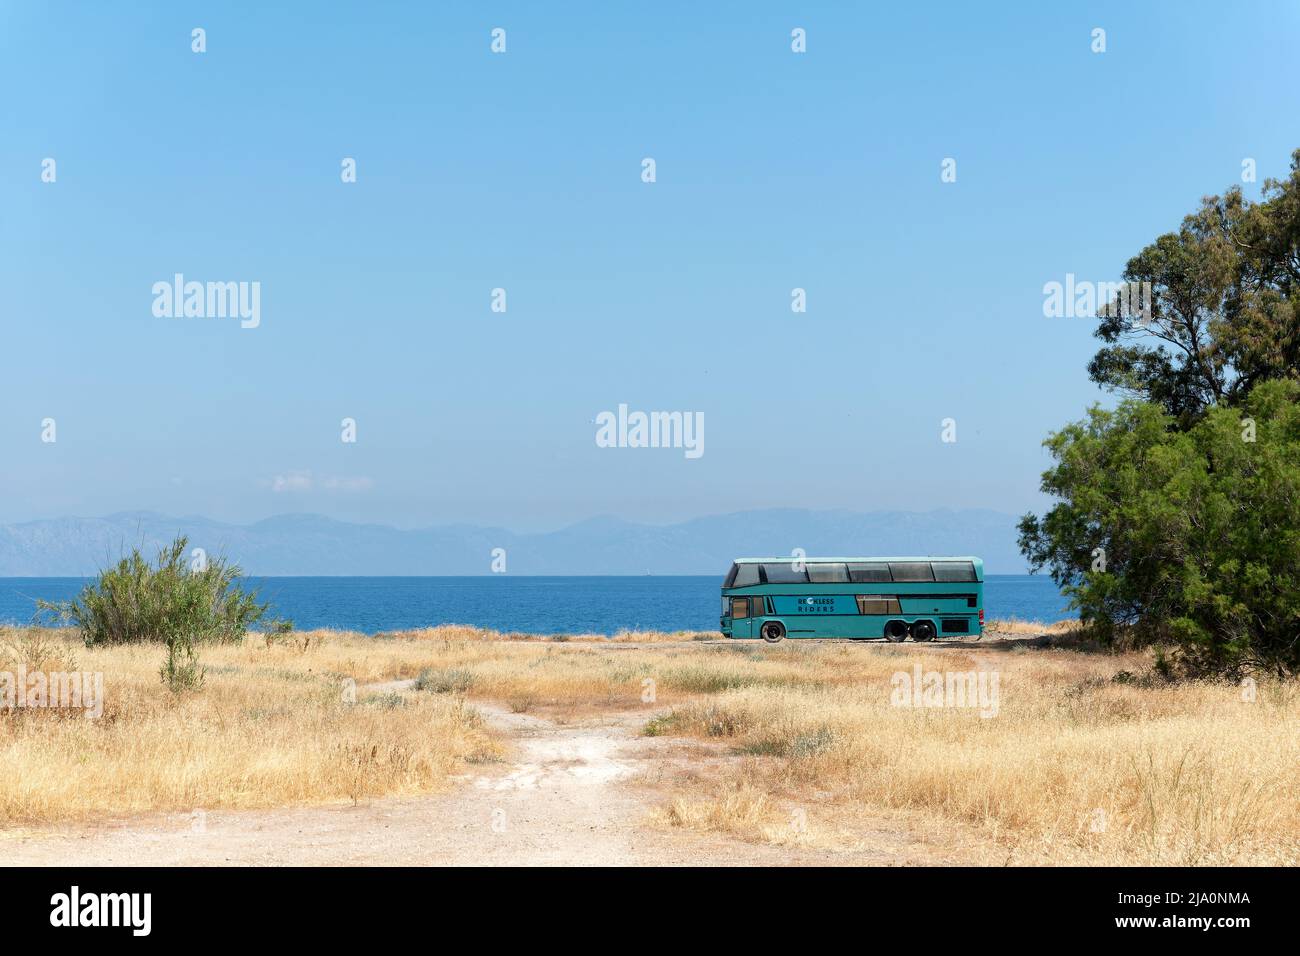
535,605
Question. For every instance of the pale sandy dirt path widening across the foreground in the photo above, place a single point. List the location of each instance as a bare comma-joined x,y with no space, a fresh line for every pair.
570,794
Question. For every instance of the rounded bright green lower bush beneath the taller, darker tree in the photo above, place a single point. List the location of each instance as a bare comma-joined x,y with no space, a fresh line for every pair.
1189,538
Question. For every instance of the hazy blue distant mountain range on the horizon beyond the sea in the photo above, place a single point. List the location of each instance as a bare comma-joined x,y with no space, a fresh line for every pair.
318,546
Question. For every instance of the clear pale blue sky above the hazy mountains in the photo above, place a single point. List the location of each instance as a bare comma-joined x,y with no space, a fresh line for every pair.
523,171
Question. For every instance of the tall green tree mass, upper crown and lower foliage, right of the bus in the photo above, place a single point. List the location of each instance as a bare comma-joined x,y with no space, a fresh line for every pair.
1178,513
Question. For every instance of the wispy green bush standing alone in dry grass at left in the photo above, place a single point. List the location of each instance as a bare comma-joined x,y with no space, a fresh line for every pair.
171,603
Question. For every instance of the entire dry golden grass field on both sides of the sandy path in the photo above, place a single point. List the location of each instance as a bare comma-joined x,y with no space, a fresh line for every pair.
1077,767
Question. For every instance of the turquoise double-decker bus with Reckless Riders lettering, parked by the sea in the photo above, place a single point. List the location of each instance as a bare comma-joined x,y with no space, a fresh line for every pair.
894,599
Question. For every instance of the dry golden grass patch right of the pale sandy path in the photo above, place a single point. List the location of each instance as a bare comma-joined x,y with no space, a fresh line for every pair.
1074,768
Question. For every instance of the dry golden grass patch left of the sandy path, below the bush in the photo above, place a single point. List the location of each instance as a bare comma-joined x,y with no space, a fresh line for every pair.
270,728
